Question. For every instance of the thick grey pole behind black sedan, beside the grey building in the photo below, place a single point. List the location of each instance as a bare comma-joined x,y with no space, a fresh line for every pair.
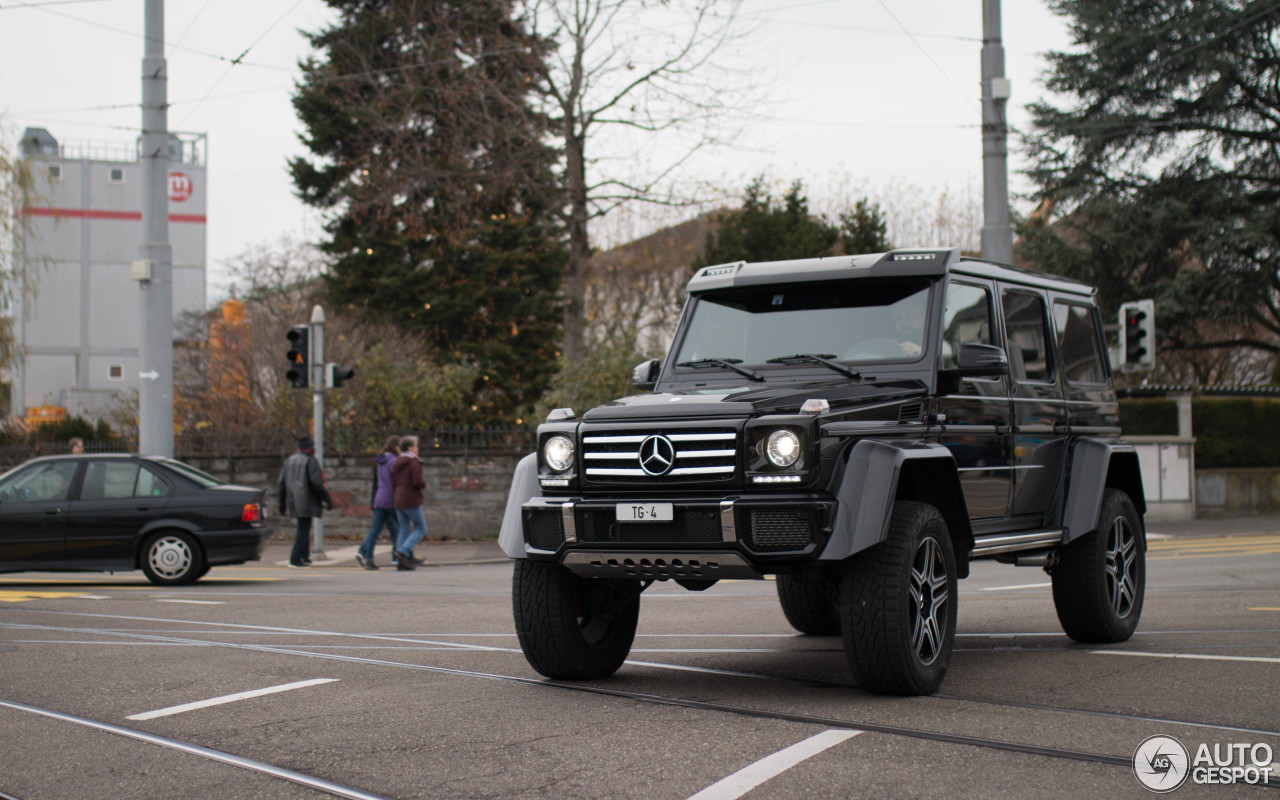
154,268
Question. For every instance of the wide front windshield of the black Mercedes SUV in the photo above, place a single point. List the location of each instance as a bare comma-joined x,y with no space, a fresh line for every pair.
847,321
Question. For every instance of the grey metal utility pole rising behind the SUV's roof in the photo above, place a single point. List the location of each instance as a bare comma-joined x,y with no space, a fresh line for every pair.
998,235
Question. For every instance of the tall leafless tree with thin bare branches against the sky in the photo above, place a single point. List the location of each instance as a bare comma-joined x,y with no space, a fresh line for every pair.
630,67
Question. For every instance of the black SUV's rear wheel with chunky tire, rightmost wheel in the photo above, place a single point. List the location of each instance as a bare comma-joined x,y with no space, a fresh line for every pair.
1100,583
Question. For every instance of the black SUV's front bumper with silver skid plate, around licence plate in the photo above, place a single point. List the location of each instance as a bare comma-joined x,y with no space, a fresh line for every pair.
739,537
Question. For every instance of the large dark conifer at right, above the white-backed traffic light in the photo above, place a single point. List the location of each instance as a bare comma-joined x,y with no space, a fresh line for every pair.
1160,170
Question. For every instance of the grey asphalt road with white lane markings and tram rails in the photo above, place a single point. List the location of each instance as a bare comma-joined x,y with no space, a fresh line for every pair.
339,682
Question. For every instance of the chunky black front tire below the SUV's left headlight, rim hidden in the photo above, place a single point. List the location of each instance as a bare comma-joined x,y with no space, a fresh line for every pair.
570,628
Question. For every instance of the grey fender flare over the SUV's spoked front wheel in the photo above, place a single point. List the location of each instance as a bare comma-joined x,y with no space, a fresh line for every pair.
874,481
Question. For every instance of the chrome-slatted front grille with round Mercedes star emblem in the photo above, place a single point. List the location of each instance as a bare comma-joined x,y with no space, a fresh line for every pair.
632,456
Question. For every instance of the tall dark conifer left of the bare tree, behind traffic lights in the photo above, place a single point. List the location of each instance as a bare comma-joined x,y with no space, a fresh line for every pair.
432,163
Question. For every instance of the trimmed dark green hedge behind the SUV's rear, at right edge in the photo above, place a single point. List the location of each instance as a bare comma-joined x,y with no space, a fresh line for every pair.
1229,432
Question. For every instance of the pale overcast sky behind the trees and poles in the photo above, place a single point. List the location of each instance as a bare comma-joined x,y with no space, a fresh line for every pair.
879,92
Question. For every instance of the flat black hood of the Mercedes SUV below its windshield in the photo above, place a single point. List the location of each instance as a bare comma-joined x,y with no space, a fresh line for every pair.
752,401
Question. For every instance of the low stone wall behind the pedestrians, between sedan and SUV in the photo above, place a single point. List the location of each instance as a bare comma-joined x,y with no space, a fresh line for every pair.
465,496
